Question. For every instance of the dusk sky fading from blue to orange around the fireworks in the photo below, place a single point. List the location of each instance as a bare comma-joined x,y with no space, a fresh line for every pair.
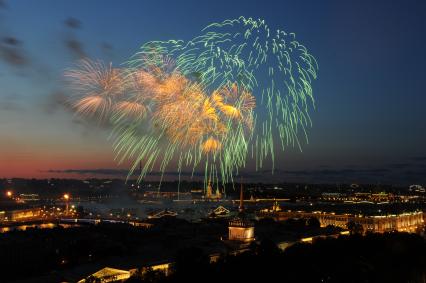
368,125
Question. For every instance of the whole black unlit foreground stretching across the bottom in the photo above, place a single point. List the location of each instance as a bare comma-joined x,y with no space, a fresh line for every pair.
394,257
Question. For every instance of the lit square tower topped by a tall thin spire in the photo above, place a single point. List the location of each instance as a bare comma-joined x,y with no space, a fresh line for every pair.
240,228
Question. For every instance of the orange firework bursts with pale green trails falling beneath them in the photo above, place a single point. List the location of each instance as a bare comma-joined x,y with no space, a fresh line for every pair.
187,122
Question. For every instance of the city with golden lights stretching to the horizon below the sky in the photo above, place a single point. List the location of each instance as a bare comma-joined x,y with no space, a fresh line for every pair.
233,218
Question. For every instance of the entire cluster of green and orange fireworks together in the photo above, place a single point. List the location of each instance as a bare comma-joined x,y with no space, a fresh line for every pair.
229,94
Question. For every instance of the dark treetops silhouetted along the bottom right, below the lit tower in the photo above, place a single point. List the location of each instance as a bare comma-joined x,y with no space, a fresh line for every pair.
395,257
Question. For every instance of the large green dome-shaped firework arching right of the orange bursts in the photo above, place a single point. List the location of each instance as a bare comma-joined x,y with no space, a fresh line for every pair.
269,63
